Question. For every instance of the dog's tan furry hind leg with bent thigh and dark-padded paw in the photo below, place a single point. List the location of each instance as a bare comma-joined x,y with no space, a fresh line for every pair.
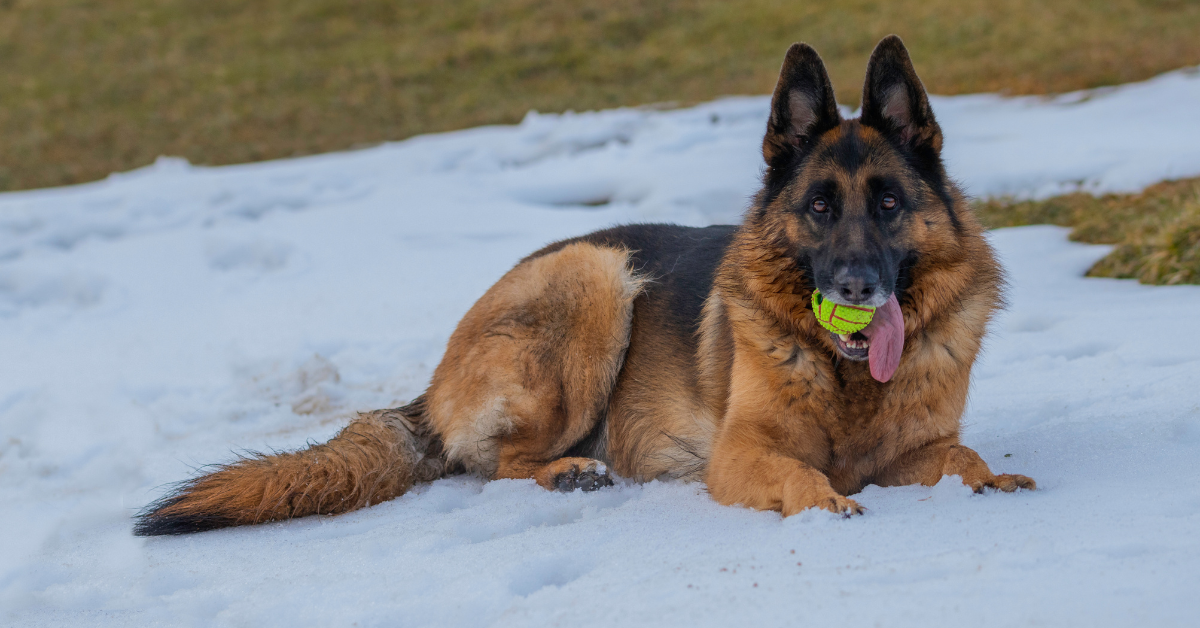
530,370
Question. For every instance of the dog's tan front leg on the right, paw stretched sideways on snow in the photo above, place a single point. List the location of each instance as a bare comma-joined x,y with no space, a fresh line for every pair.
927,465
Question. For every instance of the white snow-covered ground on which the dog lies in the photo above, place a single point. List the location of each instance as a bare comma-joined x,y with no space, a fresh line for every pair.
166,318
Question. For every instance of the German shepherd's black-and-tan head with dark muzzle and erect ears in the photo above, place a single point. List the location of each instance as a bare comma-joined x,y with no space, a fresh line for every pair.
857,202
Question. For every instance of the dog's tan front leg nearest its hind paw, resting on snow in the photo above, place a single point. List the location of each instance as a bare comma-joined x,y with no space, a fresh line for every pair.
747,471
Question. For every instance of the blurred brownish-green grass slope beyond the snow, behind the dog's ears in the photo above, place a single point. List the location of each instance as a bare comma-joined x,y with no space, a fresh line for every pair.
88,88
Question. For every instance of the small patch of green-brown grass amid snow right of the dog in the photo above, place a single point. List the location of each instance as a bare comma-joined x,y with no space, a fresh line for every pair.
1157,232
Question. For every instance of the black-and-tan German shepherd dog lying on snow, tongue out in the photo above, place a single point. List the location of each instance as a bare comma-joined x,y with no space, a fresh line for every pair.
659,351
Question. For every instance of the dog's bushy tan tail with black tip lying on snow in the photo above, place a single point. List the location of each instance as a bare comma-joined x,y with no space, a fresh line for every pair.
376,458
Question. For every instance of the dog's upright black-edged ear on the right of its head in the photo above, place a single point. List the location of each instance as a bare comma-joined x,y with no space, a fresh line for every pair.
895,100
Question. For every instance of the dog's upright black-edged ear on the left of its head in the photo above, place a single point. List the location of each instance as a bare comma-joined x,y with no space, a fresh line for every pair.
803,105
